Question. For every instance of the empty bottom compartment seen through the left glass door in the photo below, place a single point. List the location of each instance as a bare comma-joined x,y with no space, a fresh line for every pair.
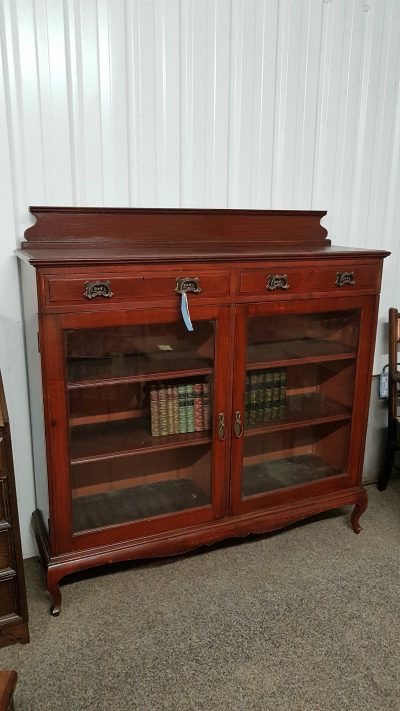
127,489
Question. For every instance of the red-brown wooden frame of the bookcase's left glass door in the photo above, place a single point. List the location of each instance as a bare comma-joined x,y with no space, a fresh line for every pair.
51,328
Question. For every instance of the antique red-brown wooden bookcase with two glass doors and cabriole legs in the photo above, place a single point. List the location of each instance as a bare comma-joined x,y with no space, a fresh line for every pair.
281,353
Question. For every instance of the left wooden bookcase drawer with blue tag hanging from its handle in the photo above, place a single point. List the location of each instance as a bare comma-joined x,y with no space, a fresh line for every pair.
105,288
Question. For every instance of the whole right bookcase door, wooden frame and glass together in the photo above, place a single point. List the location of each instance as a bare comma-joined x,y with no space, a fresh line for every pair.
293,403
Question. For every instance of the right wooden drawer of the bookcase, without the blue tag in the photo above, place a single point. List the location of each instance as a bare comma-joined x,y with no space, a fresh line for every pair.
280,280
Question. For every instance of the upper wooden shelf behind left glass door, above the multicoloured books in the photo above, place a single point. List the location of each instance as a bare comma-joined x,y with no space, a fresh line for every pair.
92,372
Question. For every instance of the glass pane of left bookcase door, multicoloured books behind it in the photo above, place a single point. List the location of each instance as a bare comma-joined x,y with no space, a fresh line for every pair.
140,403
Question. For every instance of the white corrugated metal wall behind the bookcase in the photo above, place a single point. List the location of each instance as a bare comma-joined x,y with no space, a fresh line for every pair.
206,103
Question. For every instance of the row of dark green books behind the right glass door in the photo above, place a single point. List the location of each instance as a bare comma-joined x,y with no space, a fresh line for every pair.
265,396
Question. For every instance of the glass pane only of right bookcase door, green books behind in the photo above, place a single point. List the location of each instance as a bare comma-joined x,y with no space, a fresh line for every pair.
298,398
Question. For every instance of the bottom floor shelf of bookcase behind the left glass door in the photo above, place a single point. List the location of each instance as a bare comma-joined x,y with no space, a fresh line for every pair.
139,502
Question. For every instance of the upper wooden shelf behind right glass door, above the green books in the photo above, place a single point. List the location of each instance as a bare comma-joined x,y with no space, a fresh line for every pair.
296,352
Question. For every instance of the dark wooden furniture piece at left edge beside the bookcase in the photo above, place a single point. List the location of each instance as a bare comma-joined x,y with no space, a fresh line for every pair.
13,604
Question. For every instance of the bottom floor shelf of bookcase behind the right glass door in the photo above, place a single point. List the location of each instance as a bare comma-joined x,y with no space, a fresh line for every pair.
280,473
